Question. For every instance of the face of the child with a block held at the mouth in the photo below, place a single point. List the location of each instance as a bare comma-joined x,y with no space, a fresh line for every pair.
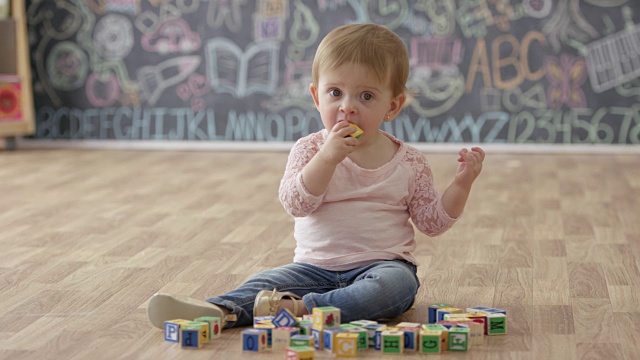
351,93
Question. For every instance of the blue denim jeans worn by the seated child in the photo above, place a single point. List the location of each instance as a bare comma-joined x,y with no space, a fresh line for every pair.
384,289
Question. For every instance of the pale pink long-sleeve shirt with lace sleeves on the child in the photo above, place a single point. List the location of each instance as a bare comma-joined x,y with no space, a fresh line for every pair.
363,216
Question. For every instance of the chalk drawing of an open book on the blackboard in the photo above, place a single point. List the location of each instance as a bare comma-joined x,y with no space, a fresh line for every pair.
239,73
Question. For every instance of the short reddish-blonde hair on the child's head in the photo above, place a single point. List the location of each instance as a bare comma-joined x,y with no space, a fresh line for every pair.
374,46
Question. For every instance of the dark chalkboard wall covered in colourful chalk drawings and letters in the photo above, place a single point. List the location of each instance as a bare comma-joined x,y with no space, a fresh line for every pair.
490,71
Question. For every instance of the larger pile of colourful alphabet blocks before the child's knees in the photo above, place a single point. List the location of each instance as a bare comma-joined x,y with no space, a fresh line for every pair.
448,329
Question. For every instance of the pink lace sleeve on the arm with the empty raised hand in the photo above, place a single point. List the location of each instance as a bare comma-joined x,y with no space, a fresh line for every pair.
425,205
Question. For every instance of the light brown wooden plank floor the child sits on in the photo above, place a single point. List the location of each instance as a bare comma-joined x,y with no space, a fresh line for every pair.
86,237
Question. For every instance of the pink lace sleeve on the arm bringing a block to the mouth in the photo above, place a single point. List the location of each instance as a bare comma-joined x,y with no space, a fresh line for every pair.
295,198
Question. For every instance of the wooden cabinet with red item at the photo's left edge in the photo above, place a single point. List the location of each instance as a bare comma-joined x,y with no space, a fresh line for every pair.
16,95
